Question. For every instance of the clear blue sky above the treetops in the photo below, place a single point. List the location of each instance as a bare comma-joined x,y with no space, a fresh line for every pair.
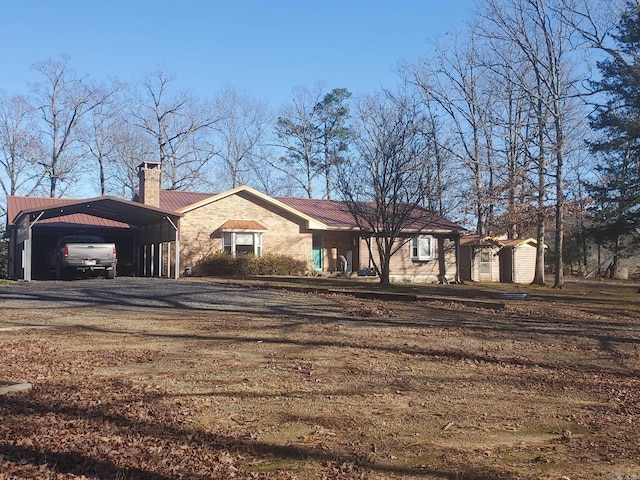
265,48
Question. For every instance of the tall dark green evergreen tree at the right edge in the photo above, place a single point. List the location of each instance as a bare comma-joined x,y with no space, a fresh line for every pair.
616,213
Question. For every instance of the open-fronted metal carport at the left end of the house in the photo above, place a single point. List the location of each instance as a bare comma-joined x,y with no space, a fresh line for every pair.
151,234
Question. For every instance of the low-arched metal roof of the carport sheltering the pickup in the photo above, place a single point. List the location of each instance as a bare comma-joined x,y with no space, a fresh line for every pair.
111,208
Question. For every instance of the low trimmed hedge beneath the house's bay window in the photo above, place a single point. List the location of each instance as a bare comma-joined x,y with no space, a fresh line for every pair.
223,264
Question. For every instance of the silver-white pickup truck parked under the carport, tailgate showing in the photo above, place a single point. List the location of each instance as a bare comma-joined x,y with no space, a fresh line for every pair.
82,254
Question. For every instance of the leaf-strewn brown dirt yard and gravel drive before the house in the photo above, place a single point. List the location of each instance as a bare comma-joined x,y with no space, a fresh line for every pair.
152,379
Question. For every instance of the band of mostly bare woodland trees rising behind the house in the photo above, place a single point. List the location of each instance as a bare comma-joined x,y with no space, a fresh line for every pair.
522,124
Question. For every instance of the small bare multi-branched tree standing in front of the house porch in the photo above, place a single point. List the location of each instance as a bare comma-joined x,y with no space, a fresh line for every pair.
383,186
